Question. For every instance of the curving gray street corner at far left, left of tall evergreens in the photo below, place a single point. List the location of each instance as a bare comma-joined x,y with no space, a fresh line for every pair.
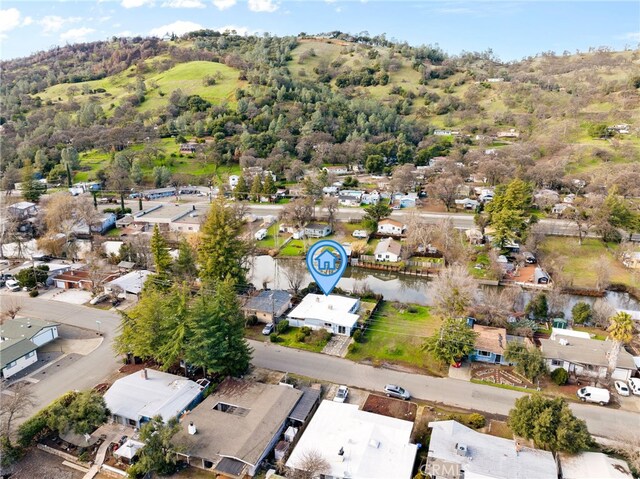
85,372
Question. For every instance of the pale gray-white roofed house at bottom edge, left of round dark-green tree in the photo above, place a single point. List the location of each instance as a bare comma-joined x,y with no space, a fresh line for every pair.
457,452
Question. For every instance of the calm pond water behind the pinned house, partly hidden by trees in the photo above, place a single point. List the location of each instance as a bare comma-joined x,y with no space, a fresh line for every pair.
396,287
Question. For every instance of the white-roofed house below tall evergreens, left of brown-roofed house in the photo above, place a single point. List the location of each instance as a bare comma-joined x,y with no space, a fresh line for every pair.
135,399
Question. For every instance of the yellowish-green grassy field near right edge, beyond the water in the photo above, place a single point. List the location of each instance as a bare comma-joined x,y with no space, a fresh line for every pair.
579,262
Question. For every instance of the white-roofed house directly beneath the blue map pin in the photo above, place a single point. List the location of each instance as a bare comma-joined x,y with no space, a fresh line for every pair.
336,314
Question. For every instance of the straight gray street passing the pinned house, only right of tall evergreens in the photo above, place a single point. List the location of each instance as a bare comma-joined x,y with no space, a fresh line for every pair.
602,421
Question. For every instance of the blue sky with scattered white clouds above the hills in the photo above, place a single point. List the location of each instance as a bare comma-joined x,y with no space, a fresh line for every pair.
512,29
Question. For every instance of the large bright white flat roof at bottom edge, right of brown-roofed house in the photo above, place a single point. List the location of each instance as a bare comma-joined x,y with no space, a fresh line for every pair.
357,444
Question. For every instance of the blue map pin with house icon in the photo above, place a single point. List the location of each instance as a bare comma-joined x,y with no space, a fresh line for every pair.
327,262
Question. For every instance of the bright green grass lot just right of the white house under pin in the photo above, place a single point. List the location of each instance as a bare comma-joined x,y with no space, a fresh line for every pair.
396,334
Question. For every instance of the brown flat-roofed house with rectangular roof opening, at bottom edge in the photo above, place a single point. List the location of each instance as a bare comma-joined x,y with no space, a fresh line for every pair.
236,427
